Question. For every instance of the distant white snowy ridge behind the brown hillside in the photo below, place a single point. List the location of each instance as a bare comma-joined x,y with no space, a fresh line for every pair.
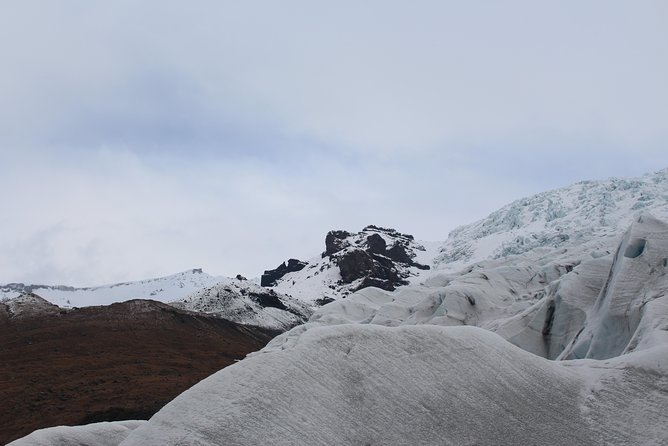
163,289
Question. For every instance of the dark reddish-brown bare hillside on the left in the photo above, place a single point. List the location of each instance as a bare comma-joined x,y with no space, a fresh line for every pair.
123,361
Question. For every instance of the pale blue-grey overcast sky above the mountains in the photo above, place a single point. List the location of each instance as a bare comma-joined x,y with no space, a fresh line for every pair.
140,139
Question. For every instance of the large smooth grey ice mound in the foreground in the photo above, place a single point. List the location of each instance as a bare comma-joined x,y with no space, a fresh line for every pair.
367,384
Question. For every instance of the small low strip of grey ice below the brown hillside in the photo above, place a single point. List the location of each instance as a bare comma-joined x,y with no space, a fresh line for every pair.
99,434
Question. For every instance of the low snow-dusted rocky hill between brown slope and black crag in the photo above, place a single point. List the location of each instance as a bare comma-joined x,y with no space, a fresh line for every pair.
245,302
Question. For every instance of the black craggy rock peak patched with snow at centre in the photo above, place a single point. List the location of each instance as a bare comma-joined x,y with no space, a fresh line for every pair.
375,256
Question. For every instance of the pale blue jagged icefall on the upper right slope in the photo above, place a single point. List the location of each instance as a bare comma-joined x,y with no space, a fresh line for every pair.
584,212
